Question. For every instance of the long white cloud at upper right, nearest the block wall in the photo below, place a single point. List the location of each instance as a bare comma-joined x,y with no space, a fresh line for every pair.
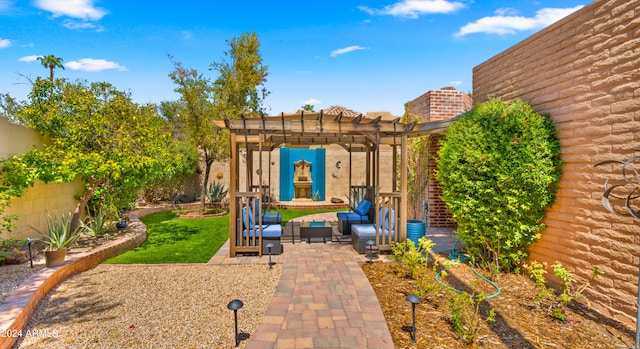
503,23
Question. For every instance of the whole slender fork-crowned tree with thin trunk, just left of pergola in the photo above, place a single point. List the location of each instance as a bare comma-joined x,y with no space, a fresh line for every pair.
237,91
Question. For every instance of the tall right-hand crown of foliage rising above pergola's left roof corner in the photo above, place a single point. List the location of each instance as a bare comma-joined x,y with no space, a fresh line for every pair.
240,87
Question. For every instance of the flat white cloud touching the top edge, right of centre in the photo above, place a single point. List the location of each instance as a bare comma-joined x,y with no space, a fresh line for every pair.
415,8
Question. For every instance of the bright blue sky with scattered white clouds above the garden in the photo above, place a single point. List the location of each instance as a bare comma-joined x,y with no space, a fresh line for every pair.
367,55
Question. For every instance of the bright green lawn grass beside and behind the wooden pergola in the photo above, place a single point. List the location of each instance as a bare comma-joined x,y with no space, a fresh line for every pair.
171,239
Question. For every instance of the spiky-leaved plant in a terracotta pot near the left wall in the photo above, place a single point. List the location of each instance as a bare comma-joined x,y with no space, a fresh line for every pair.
58,237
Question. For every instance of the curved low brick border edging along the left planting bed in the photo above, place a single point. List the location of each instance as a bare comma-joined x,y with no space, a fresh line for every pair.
20,305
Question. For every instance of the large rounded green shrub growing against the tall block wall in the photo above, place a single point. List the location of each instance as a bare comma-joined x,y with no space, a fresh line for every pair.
499,167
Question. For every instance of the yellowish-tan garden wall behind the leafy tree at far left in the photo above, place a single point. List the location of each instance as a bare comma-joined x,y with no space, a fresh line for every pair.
41,199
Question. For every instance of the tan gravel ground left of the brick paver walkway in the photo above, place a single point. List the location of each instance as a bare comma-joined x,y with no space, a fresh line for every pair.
153,306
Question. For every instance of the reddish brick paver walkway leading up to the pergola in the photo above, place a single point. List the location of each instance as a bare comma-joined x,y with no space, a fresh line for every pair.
324,299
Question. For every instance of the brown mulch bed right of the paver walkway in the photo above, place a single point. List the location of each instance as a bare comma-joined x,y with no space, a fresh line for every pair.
520,321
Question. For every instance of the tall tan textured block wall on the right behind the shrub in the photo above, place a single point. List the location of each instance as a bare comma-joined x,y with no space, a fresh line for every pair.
584,71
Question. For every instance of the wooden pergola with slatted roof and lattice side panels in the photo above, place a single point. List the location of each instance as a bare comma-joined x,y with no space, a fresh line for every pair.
354,134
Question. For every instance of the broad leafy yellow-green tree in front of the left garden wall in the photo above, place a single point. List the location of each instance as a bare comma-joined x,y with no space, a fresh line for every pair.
96,133
